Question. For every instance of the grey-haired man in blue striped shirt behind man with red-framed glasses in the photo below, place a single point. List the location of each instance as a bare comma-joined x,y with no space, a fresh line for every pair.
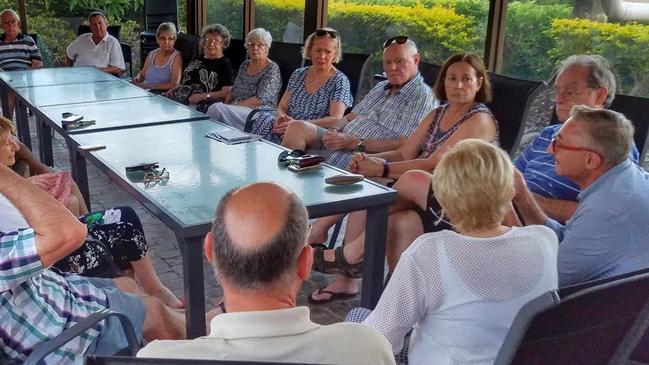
581,80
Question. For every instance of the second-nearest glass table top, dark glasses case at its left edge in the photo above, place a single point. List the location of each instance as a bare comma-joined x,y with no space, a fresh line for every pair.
112,114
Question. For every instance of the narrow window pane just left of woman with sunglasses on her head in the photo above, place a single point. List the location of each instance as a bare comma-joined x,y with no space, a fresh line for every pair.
284,19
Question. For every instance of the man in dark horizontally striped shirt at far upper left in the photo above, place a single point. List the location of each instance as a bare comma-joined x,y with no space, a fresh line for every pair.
17,51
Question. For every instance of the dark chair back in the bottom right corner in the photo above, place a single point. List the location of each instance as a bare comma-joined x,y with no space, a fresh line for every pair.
600,324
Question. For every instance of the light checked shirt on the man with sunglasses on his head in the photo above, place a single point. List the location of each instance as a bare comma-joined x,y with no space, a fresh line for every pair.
385,115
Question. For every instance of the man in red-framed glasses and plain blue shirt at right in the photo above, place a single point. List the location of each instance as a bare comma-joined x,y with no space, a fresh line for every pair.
607,235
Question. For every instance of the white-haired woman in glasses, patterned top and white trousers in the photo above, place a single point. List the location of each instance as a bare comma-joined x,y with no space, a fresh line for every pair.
257,83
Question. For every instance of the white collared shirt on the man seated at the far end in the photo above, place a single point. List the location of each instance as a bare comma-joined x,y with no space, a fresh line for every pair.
84,52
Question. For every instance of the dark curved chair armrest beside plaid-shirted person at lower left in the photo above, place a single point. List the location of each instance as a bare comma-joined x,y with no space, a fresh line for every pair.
45,348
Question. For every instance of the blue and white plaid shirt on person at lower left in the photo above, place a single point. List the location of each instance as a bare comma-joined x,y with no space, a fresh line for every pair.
37,304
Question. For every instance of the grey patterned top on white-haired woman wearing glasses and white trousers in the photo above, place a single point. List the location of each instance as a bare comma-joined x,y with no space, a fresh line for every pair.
265,85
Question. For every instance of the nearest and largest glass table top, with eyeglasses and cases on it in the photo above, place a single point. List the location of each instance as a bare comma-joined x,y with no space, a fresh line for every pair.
202,170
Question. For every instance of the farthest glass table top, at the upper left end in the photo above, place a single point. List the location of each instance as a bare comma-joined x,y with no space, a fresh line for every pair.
55,76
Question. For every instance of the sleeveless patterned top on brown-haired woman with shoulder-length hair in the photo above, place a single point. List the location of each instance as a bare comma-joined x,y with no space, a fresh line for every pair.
435,137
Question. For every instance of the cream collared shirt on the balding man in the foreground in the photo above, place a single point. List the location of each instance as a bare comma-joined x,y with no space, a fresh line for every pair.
279,335
